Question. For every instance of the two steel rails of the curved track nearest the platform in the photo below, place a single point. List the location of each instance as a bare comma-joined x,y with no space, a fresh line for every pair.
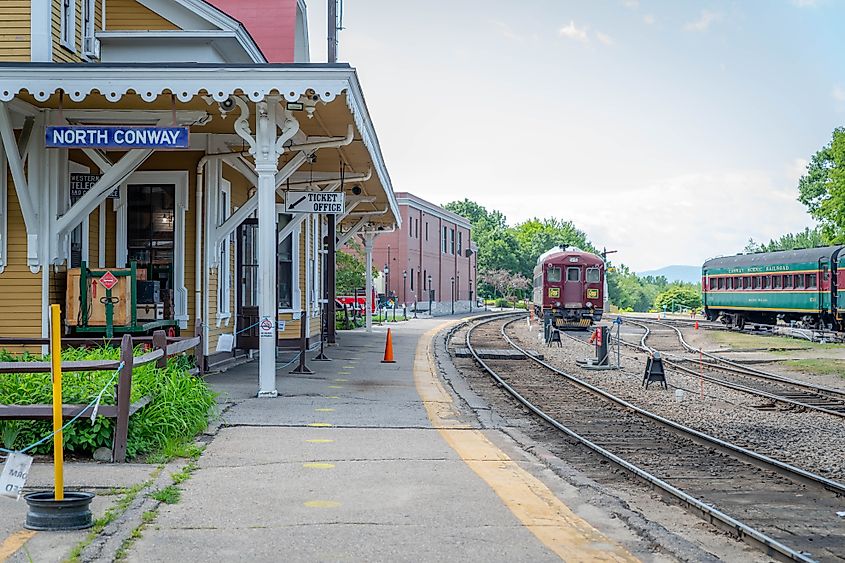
707,512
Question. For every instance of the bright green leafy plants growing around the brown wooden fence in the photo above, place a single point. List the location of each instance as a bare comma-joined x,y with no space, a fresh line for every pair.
180,406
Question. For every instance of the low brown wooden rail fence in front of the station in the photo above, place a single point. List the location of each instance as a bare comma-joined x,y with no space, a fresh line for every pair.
162,348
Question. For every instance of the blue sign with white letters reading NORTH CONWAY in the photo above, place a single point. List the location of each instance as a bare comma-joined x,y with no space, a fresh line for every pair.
117,137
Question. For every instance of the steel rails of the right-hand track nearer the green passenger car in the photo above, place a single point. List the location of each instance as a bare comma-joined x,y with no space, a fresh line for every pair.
733,367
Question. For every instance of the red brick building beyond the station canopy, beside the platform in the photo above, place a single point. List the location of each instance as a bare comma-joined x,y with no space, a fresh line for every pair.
433,250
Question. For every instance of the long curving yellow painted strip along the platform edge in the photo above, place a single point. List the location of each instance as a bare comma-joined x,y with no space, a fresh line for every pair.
550,520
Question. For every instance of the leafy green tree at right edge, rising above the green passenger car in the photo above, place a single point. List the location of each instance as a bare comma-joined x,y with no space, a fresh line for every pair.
822,187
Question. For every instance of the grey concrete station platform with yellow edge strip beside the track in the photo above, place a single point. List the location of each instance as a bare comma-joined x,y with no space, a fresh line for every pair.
362,461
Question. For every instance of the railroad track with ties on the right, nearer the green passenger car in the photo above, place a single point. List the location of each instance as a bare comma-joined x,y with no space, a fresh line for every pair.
792,393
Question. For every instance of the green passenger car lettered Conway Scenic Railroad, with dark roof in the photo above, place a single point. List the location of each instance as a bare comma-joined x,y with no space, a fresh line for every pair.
791,285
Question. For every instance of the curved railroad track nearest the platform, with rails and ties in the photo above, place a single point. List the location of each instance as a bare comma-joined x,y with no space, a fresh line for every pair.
787,512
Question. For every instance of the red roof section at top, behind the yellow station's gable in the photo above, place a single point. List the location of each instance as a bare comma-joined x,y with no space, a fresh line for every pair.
271,23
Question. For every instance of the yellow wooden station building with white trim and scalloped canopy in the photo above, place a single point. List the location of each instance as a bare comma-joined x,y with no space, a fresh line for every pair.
153,140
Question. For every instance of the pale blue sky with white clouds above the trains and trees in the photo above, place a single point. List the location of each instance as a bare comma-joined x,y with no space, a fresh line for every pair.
669,131
